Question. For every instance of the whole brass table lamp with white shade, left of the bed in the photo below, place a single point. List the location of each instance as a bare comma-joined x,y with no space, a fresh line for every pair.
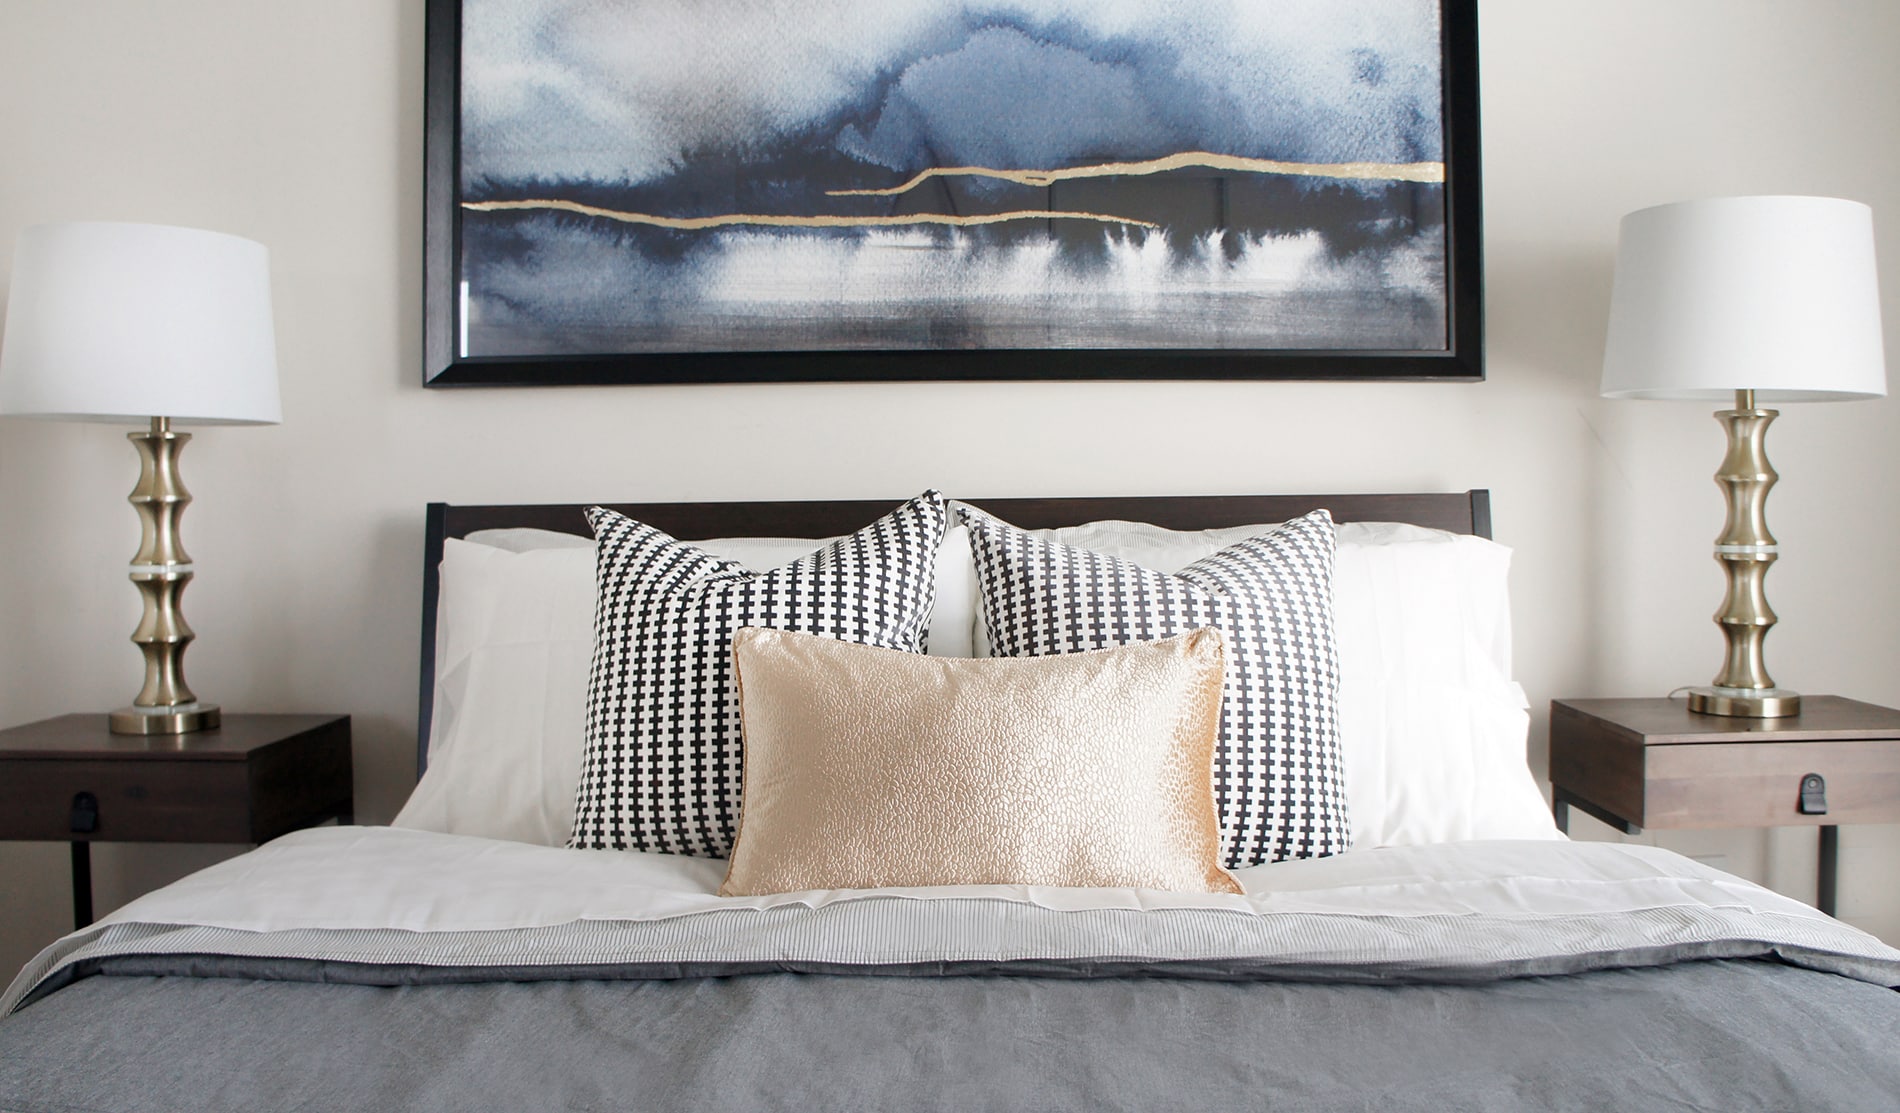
145,324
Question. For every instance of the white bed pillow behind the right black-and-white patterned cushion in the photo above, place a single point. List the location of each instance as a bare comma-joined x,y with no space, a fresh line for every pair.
1434,732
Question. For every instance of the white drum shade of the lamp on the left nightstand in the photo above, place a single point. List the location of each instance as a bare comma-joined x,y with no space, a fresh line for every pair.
136,322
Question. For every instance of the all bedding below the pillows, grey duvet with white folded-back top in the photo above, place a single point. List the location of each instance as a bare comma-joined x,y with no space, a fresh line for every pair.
381,970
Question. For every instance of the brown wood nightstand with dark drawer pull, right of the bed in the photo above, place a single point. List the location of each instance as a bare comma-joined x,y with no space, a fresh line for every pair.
1654,763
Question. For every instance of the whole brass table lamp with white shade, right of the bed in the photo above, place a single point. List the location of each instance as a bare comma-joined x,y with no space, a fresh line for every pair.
1770,301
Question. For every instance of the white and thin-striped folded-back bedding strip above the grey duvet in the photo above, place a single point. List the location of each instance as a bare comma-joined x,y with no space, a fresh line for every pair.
385,899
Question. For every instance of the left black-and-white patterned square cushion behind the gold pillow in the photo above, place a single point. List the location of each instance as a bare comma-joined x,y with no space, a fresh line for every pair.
662,764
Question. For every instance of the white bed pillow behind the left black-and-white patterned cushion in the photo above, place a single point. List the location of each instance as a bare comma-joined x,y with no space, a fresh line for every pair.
514,641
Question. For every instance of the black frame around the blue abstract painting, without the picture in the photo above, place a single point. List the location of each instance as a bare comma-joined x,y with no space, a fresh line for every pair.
1460,362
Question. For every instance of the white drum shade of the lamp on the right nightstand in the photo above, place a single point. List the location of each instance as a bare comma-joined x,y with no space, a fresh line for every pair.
1776,295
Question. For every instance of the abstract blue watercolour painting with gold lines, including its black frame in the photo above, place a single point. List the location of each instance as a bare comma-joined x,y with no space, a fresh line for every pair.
721,191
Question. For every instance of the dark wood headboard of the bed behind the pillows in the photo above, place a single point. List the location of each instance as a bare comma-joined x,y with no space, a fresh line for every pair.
1460,514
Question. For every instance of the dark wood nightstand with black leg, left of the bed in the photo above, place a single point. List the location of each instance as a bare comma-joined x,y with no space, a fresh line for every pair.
250,782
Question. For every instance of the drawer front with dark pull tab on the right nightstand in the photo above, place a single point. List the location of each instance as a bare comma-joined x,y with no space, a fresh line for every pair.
1717,785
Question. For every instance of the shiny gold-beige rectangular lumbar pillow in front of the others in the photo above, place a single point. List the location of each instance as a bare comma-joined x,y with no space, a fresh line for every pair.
869,768
